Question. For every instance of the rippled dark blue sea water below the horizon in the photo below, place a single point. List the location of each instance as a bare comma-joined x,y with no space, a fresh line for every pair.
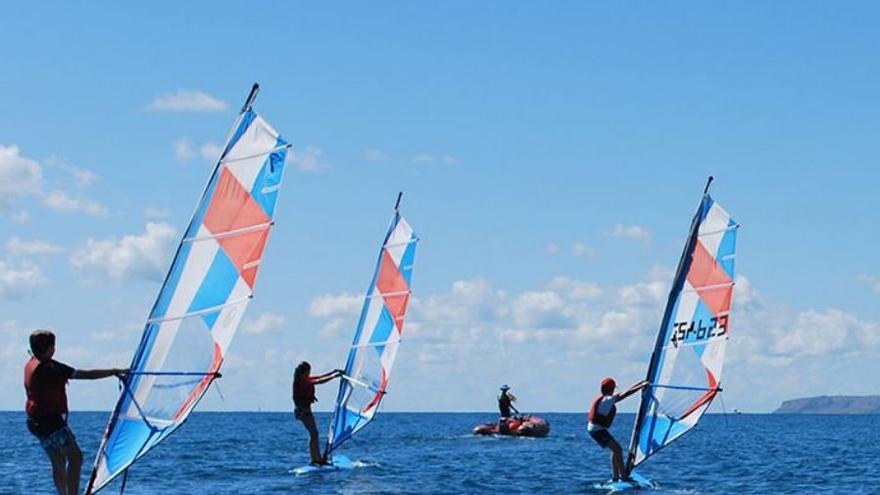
399,453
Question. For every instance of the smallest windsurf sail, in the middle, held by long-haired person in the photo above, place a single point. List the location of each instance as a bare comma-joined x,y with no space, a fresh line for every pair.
378,335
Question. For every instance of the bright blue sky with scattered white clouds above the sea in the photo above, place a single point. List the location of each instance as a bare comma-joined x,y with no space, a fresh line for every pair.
551,160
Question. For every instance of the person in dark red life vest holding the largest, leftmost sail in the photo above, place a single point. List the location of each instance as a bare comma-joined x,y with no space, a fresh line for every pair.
45,382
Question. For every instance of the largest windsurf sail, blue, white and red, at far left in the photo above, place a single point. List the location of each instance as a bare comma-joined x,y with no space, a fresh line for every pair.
207,289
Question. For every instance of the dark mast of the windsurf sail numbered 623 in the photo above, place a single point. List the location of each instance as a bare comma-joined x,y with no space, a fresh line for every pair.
677,284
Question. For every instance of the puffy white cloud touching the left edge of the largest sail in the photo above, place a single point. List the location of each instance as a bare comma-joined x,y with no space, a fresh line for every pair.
144,256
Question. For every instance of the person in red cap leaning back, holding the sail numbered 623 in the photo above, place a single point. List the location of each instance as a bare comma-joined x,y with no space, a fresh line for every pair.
601,416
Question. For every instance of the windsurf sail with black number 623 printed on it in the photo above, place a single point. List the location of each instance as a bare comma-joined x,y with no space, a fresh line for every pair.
684,374
